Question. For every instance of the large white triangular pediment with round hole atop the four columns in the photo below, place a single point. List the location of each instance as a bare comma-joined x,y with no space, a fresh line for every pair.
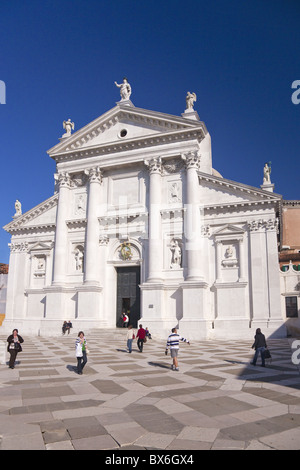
124,127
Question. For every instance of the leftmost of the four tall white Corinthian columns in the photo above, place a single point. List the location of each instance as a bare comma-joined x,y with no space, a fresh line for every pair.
61,232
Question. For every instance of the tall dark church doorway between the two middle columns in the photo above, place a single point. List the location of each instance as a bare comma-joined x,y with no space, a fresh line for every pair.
128,295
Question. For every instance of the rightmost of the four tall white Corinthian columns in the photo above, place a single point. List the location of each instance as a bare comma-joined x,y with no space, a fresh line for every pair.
192,217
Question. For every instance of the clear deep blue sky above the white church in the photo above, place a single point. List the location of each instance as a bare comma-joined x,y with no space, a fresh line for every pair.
59,60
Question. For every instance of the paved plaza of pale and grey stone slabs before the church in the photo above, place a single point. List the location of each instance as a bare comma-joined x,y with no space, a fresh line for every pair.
217,400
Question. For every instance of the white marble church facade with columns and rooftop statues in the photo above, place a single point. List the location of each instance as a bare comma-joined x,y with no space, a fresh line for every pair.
141,221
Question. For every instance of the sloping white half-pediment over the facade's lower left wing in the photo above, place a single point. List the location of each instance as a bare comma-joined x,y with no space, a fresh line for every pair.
42,215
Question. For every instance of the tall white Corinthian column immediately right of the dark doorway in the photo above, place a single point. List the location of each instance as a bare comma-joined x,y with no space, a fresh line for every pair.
155,242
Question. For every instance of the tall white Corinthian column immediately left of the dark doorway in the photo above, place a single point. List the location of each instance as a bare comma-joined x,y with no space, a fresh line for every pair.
91,268
